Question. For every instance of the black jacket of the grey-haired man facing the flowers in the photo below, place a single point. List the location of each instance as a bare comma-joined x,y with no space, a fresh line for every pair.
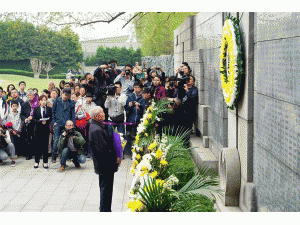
103,151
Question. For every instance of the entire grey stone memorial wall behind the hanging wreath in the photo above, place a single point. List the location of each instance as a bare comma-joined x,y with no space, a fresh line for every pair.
264,127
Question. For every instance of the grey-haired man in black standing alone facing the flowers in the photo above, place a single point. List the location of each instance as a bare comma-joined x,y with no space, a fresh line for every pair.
104,157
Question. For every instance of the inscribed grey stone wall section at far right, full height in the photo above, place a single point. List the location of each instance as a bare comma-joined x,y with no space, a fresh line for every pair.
277,111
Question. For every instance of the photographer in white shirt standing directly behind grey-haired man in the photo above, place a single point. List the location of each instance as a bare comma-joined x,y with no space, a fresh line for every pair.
115,103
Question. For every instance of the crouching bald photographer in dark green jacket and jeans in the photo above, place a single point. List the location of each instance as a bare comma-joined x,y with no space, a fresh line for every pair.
70,146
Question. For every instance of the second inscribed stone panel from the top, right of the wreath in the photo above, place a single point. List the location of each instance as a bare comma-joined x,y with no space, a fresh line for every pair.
277,69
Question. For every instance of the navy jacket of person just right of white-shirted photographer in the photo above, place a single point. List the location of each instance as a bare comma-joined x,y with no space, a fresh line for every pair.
134,114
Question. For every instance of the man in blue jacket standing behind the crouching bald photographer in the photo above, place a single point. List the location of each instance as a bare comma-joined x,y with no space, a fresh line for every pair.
63,109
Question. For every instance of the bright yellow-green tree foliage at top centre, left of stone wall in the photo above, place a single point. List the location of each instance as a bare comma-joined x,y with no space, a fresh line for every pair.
155,31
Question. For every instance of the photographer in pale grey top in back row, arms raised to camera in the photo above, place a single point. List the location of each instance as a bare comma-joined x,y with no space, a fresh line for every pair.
126,79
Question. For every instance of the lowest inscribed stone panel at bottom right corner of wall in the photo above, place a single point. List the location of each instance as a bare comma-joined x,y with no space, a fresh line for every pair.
277,187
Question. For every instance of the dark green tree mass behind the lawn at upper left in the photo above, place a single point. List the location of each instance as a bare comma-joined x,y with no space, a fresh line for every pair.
20,41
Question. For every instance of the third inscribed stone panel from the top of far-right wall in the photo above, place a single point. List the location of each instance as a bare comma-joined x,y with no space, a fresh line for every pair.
277,129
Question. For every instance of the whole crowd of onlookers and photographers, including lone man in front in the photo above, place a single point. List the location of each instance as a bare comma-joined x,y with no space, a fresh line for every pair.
67,121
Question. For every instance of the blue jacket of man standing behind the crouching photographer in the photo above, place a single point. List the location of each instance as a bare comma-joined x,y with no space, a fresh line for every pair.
63,111
